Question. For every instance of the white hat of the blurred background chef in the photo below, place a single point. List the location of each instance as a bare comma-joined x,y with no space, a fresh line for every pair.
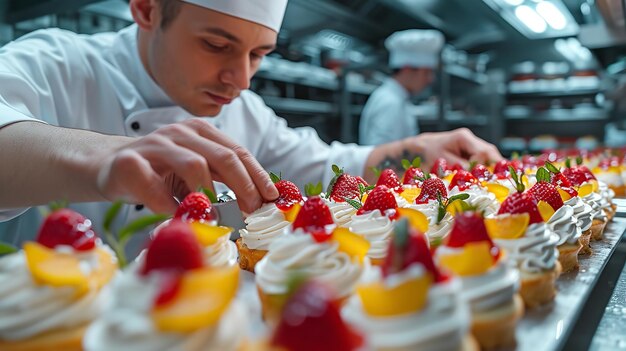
414,48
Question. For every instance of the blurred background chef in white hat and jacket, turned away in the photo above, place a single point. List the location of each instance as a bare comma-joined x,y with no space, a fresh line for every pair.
413,57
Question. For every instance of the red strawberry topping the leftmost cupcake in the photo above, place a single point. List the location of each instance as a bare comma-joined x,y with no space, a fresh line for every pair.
66,227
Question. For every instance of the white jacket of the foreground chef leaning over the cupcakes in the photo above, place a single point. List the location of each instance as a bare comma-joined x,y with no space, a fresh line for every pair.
99,83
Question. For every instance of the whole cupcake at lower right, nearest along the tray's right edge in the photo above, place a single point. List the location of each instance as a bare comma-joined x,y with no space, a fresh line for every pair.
489,284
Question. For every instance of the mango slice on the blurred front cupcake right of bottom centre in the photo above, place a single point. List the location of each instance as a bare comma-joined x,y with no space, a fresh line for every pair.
408,297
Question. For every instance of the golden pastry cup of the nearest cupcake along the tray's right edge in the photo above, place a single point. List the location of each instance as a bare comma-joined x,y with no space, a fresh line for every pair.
495,328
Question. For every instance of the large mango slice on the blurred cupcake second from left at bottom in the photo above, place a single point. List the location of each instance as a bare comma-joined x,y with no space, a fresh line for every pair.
203,296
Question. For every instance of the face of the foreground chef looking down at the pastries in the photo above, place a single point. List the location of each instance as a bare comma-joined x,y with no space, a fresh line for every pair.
203,59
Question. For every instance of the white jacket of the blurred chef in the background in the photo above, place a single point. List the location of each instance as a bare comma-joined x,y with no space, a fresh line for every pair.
386,116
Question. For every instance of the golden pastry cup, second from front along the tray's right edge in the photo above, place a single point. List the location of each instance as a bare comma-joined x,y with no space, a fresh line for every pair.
539,288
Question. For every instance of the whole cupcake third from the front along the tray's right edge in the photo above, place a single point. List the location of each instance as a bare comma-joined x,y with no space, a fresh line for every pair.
559,219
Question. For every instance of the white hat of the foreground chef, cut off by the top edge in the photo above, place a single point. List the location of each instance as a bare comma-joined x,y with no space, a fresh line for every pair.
268,13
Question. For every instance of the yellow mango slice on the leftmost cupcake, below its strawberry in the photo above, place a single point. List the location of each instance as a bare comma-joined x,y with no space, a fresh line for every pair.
49,267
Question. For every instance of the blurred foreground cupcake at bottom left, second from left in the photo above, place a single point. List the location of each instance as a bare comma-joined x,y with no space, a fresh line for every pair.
171,299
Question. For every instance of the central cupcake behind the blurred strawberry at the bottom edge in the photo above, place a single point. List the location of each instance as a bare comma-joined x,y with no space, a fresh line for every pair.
315,248
